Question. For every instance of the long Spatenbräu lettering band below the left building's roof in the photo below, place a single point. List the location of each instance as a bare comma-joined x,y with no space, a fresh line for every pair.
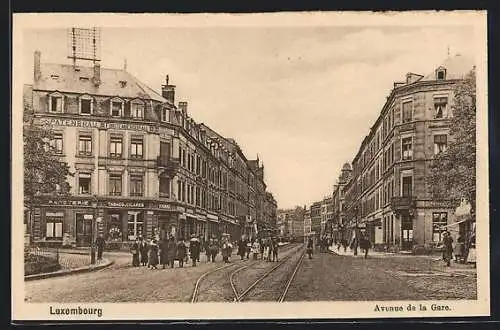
96,124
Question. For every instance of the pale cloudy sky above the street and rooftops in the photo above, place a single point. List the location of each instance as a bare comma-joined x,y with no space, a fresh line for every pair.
301,98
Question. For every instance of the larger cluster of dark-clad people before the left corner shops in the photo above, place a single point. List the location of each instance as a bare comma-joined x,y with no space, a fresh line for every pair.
165,252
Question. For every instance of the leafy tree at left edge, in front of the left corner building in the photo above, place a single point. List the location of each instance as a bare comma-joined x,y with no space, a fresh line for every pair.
44,172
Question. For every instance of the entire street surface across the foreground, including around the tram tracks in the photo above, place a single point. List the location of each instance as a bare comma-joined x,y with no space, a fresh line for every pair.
326,277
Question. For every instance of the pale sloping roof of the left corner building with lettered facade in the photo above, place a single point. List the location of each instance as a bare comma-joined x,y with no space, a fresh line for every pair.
65,78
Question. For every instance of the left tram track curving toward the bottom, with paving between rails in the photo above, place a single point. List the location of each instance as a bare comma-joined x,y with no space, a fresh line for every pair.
214,286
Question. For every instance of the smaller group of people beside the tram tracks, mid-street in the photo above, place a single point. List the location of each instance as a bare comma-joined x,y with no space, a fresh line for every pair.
266,248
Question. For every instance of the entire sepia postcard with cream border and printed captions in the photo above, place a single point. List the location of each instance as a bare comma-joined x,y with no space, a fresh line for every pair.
250,166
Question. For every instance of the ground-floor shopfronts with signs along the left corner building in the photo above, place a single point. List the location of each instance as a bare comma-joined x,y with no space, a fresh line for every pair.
77,222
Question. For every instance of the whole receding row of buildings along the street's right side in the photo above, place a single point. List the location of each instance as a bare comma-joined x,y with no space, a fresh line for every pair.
384,190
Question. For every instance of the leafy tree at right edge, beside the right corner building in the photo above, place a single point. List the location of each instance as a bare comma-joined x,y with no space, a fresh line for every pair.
453,171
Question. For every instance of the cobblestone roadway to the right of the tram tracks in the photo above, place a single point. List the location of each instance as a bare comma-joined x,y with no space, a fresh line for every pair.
336,278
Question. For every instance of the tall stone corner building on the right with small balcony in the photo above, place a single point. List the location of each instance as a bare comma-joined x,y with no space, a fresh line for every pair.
387,194
